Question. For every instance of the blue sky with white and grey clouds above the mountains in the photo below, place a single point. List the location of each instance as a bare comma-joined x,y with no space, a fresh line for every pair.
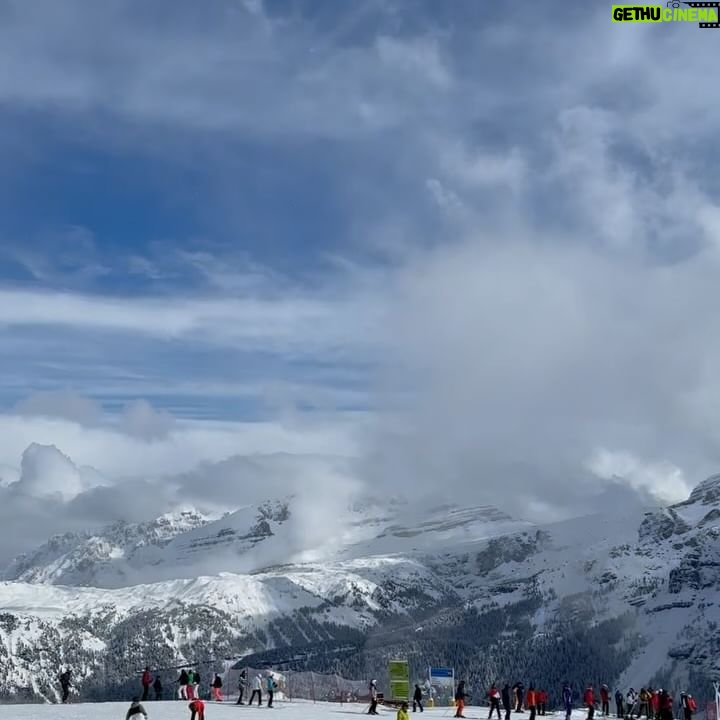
461,249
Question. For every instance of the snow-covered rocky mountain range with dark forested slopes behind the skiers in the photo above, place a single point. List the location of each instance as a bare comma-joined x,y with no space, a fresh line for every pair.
628,594
